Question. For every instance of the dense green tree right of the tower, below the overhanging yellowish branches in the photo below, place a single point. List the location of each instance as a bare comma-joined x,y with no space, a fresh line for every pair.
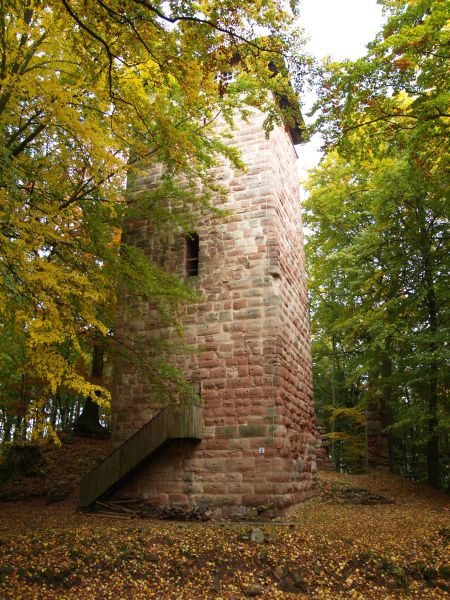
378,256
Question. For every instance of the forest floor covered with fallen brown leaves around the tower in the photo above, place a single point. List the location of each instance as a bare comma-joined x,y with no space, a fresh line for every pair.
333,546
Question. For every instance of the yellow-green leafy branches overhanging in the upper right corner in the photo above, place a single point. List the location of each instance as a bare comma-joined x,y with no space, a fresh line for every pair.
401,84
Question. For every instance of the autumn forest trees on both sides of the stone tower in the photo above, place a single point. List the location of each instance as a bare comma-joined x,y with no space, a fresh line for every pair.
91,92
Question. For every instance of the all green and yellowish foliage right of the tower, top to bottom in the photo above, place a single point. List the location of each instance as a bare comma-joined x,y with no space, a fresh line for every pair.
378,211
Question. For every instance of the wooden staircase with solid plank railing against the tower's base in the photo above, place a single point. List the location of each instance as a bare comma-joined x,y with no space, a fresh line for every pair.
172,422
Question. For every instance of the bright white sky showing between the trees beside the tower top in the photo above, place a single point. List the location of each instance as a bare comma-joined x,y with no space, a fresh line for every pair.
340,29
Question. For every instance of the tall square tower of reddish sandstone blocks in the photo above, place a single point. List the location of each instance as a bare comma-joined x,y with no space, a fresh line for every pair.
253,370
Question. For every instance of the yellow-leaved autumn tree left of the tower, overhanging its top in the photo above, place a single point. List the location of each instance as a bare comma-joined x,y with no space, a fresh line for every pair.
90,92
